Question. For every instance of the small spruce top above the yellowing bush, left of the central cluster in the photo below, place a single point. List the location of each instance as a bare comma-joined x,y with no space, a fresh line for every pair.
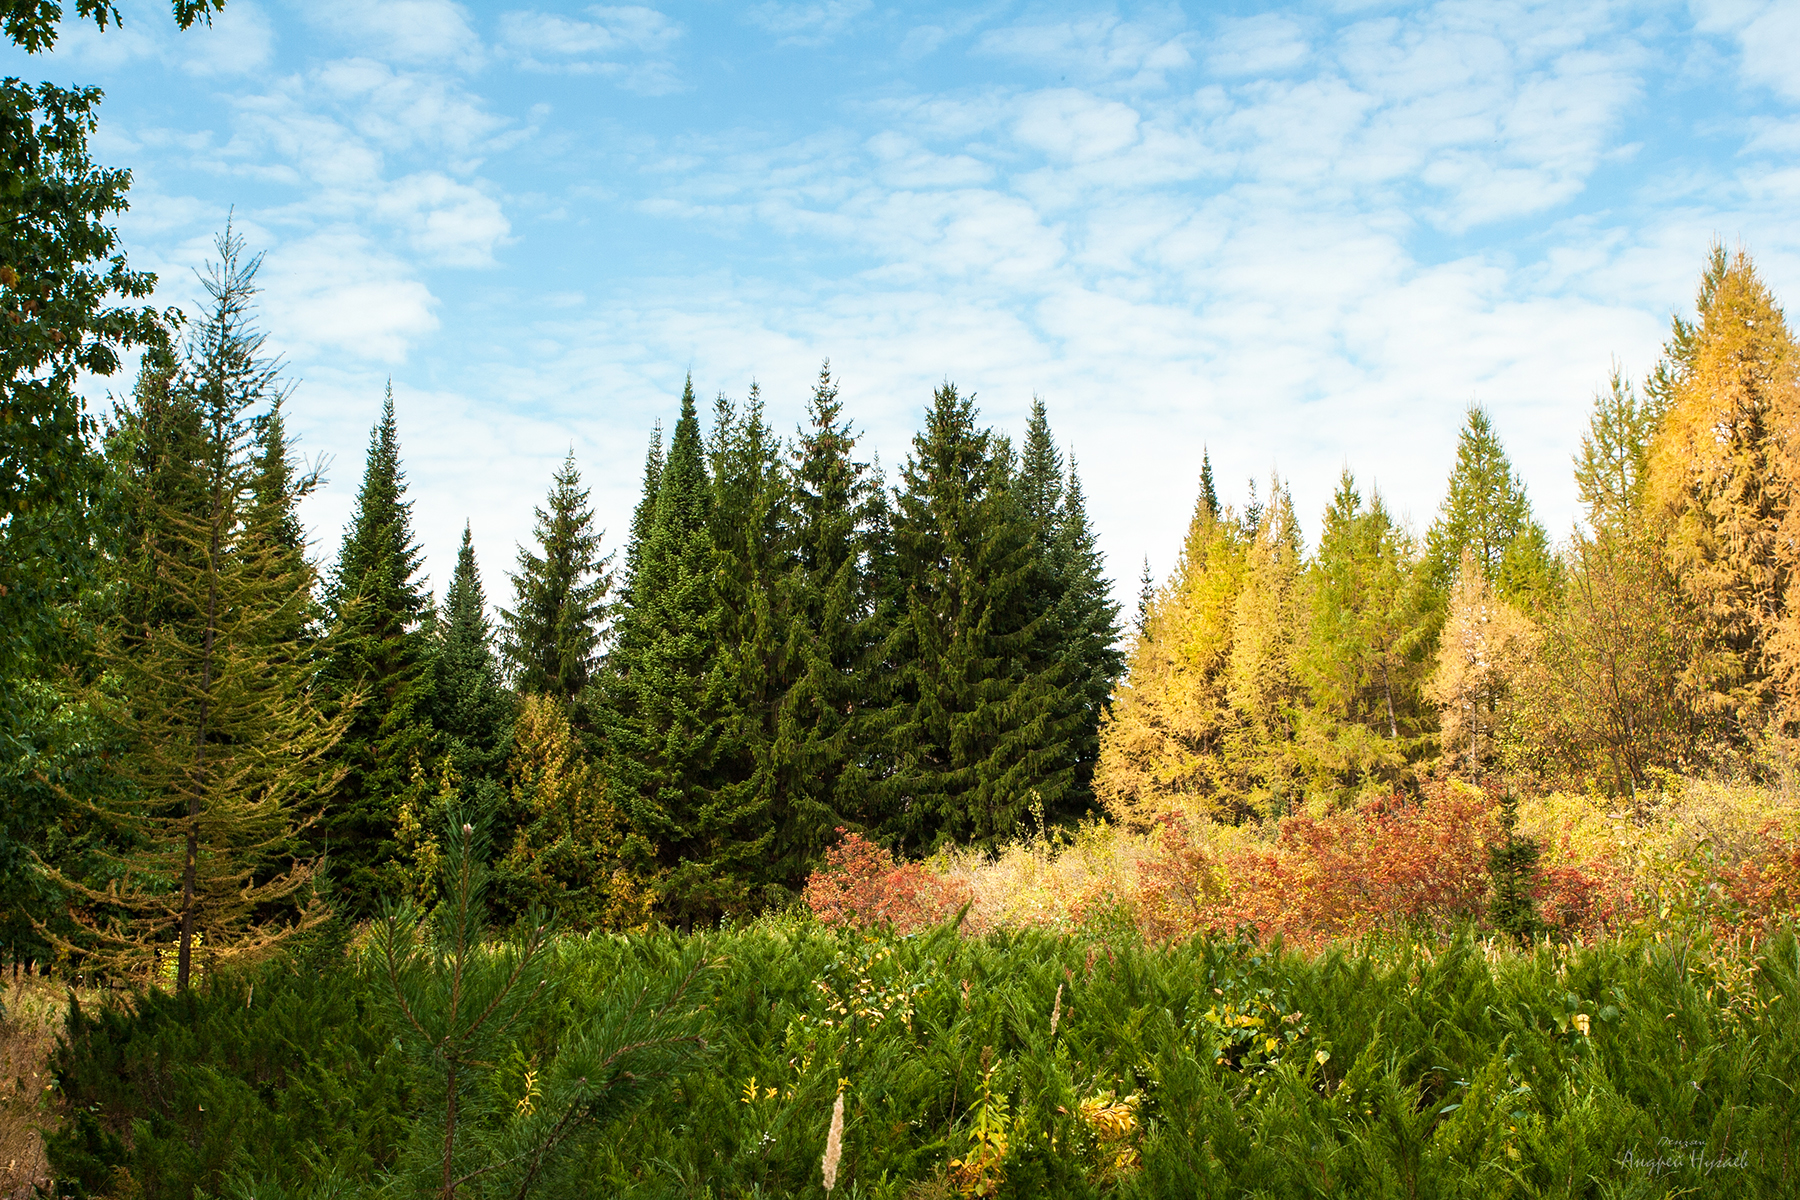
552,634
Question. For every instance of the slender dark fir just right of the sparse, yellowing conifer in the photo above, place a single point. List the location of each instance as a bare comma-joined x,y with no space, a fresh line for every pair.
377,665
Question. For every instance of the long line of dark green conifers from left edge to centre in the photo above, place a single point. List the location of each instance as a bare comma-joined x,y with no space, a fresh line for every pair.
240,744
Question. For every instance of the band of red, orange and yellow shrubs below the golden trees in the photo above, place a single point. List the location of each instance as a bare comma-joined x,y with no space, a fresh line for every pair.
1696,857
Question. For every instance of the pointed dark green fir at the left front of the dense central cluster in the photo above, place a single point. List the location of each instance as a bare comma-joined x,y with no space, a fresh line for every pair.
669,712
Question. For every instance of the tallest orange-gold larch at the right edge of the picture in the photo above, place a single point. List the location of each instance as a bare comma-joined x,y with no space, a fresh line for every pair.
1722,479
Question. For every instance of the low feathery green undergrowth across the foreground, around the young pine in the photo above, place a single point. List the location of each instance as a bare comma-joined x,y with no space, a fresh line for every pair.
1014,1064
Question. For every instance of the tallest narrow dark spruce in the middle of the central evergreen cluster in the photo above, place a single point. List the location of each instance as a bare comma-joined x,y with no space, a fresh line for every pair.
827,744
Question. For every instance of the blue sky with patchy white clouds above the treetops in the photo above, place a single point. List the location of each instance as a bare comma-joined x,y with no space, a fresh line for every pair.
1304,237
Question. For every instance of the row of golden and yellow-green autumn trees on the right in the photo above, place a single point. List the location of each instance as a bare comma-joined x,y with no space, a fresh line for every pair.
1662,638
